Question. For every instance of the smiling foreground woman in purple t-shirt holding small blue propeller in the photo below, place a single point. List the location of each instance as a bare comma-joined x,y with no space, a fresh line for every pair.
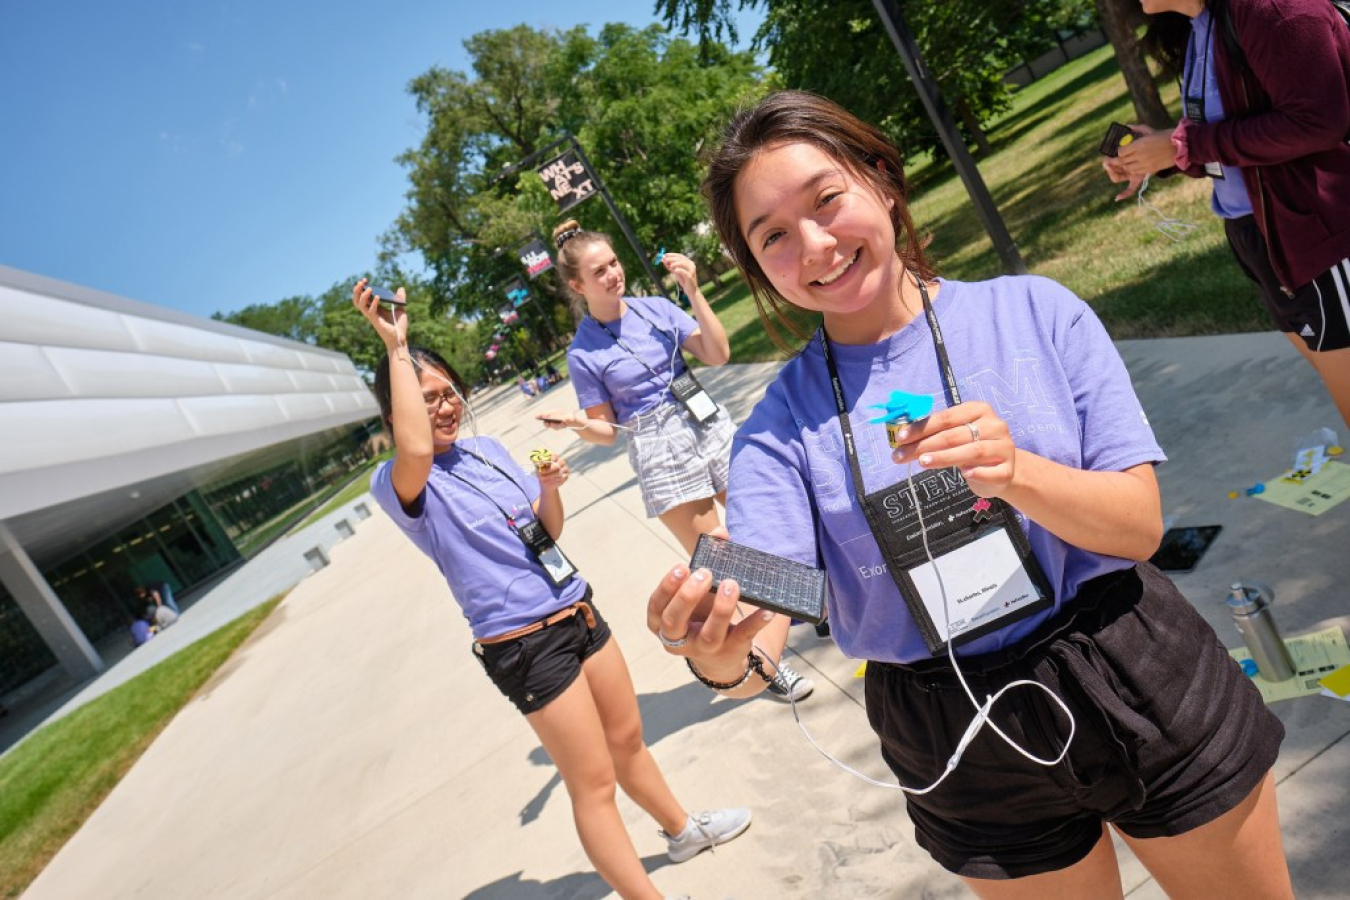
1037,449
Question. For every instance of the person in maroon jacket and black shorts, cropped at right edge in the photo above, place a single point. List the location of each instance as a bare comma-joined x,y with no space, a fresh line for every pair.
1266,92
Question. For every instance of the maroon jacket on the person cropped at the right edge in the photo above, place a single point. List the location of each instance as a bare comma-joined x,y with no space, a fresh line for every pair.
1287,118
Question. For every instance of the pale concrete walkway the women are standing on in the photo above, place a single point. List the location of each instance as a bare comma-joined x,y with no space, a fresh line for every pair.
353,748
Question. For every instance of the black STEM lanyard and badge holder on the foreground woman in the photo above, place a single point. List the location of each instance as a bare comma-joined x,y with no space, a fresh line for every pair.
989,577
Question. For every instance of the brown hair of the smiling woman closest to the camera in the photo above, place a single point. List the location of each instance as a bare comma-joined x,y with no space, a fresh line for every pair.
797,117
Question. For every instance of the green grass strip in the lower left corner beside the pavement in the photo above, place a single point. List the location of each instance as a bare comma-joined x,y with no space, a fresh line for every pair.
56,779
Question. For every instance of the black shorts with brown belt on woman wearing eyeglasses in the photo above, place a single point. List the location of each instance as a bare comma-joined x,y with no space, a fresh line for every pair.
534,670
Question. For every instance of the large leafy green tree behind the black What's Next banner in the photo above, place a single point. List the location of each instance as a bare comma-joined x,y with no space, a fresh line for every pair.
641,103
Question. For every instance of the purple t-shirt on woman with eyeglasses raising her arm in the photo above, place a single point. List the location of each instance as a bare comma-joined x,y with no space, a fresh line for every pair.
492,574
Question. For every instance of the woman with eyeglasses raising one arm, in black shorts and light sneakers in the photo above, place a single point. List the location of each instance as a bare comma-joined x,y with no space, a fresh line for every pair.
491,528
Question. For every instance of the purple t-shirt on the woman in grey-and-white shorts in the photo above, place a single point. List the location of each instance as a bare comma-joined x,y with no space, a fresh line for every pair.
603,372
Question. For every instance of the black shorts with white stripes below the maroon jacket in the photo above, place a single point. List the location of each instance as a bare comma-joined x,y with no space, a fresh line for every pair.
1320,312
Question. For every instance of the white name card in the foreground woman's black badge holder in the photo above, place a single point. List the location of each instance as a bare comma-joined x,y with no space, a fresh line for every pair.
986,584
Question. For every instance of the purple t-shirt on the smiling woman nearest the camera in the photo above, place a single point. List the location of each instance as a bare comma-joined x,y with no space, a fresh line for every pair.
1028,347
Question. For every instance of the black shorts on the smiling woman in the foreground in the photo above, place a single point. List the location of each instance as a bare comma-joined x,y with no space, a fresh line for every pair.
1170,733
